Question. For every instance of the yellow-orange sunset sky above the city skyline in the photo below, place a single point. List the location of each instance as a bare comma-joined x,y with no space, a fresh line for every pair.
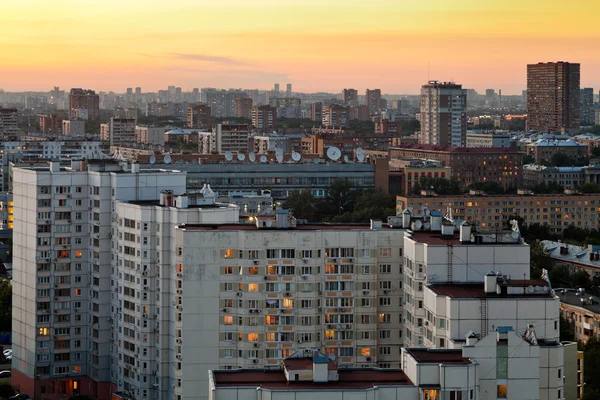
317,45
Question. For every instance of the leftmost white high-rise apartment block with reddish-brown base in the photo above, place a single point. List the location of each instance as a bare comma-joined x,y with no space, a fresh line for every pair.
62,268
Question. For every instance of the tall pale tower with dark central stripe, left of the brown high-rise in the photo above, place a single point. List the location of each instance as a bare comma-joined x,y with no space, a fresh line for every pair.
443,114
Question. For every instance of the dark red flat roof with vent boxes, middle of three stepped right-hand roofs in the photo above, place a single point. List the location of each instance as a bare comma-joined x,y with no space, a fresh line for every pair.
512,288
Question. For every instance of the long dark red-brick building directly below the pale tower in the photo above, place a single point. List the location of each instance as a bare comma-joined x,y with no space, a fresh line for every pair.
470,165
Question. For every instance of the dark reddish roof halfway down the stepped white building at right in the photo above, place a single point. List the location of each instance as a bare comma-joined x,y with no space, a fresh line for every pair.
476,290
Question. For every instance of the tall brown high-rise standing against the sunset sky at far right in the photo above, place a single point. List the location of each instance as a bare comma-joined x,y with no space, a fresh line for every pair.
553,97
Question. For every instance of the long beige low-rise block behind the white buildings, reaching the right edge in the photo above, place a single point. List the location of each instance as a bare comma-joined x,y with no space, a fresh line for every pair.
557,211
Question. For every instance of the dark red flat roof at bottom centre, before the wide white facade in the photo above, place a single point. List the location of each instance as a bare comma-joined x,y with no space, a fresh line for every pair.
350,378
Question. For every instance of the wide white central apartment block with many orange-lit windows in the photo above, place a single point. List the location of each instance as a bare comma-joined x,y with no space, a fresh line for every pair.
335,288
